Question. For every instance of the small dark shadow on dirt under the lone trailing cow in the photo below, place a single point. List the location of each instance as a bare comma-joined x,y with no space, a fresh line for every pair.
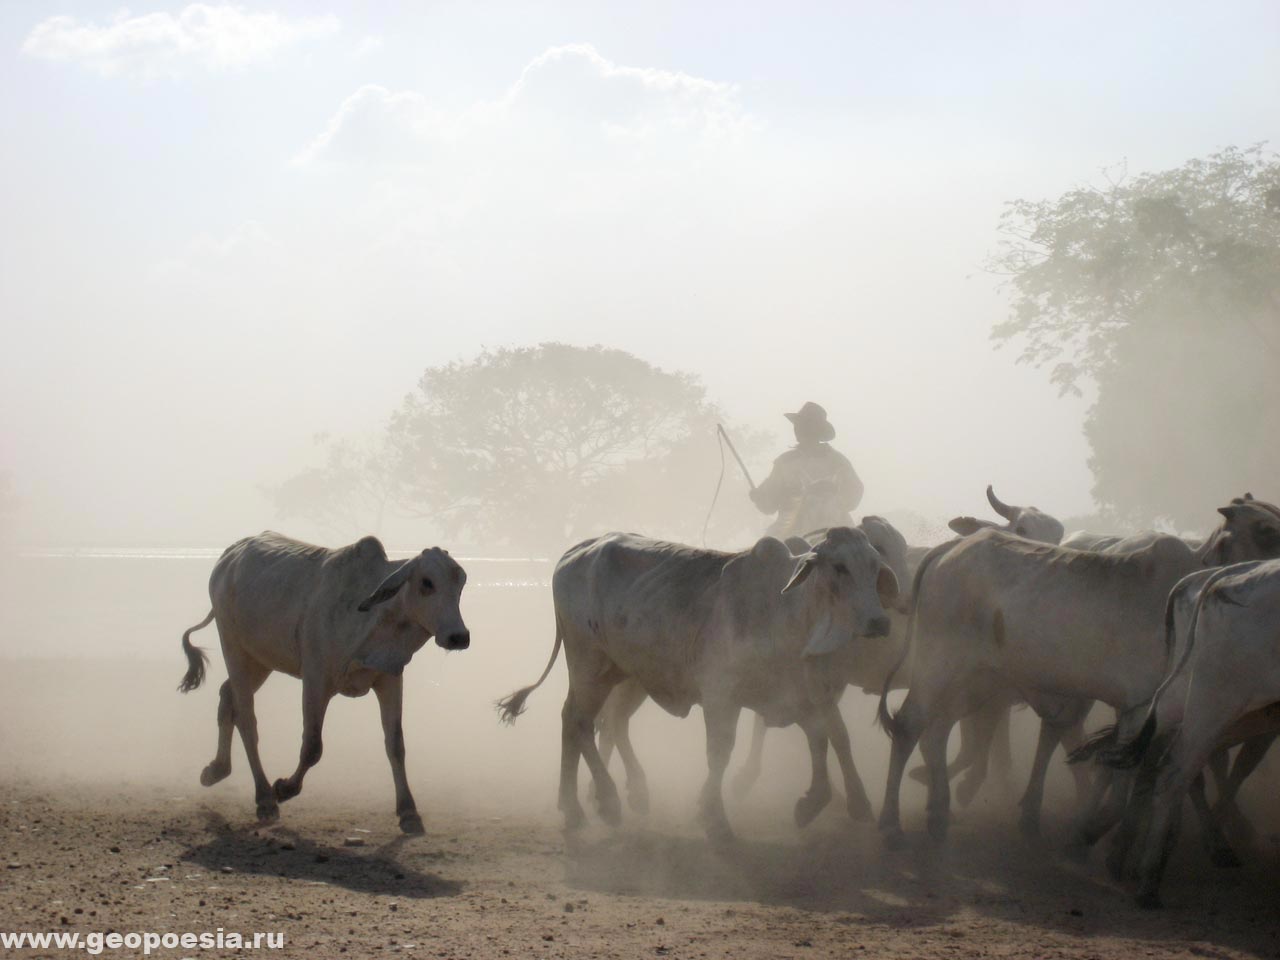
285,853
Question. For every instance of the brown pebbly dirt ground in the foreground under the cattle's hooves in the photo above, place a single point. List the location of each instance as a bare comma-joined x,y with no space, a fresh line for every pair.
481,886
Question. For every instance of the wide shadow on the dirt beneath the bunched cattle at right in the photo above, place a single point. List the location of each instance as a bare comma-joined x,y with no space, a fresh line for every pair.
985,874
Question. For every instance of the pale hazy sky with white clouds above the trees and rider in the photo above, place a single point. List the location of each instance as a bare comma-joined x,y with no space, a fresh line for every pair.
228,228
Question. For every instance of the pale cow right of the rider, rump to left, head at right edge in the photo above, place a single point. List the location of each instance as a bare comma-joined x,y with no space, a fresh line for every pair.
1059,627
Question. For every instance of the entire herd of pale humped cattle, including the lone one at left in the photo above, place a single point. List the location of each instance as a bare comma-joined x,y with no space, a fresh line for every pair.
1182,639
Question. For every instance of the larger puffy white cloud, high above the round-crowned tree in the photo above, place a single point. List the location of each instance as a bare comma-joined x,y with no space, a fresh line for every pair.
570,90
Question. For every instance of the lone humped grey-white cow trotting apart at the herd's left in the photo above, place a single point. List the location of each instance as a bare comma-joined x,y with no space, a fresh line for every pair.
346,621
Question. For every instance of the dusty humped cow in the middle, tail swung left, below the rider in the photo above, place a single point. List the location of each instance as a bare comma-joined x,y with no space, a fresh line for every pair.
724,630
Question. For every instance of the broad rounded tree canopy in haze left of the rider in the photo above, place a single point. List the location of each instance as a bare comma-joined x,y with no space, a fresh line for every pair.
533,449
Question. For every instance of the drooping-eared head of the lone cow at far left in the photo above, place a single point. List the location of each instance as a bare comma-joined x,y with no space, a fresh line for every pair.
422,597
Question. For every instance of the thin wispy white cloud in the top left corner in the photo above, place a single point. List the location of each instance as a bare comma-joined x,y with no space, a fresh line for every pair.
214,38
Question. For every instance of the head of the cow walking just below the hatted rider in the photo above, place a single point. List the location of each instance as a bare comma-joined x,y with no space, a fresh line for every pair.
848,583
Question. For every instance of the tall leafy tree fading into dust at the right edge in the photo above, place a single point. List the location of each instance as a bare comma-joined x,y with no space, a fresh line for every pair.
1164,292
